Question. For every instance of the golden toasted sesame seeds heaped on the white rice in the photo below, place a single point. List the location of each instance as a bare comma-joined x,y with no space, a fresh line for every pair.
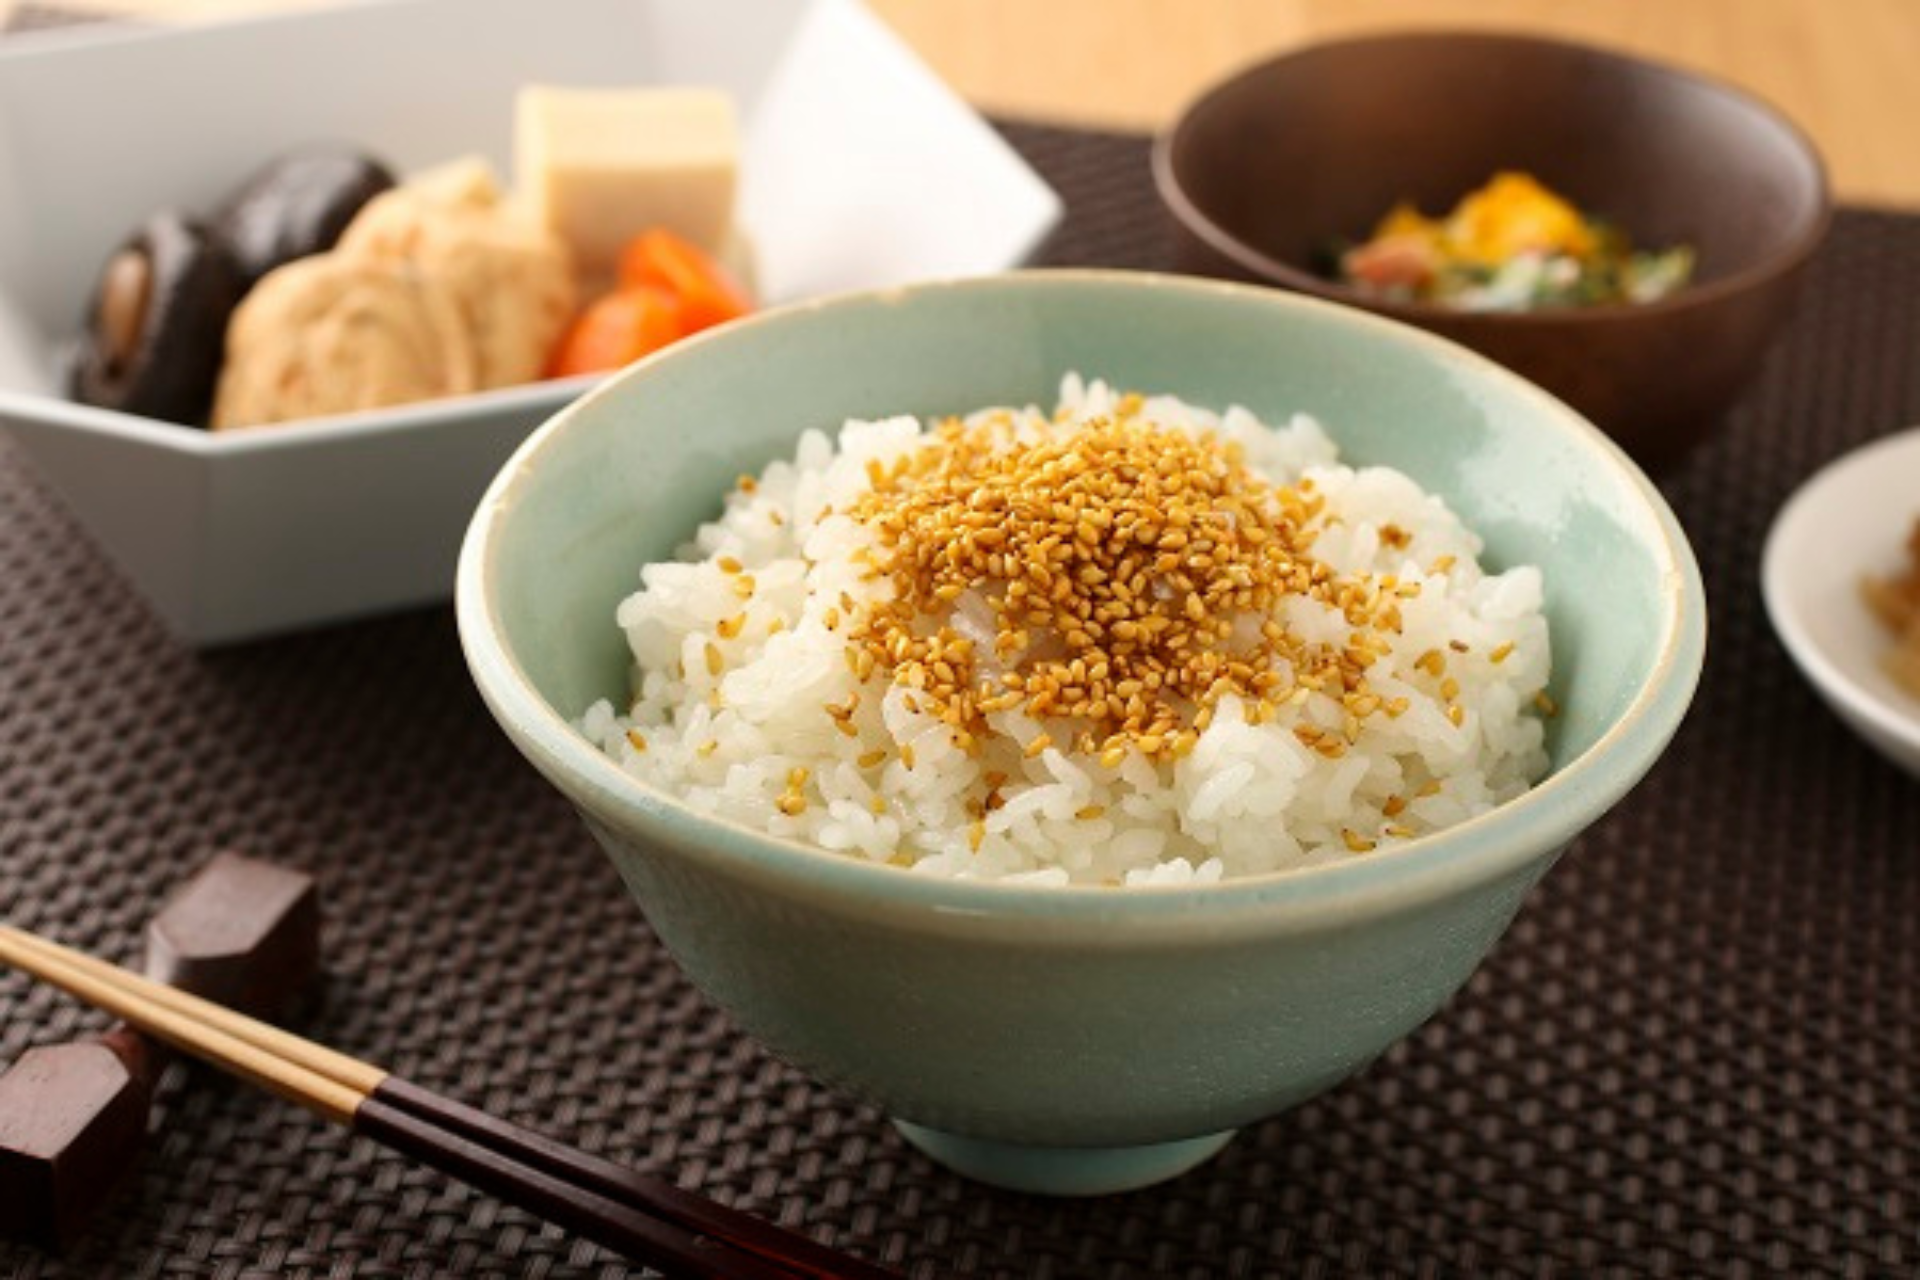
1116,563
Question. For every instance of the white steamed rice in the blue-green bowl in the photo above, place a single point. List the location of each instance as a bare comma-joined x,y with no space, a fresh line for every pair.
1249,799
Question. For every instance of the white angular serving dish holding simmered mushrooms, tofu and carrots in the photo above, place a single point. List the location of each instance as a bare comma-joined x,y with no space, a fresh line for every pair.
861,170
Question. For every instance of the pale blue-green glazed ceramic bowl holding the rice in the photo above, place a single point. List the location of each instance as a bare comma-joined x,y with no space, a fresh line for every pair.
1076,1041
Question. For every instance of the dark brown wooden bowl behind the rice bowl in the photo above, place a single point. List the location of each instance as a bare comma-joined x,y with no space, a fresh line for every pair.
1272,168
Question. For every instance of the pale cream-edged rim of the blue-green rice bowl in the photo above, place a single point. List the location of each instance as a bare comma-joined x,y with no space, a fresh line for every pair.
1497,843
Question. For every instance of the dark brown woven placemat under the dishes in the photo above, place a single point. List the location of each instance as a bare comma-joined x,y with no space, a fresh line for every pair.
1692,1055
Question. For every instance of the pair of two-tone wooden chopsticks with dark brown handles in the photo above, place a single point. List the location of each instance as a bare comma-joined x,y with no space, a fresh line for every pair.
650,1220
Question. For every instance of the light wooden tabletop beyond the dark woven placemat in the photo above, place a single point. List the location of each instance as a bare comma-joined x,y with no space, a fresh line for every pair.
1846,70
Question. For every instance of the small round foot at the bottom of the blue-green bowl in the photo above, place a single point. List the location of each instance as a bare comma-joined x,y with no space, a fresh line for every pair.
1063,1172
